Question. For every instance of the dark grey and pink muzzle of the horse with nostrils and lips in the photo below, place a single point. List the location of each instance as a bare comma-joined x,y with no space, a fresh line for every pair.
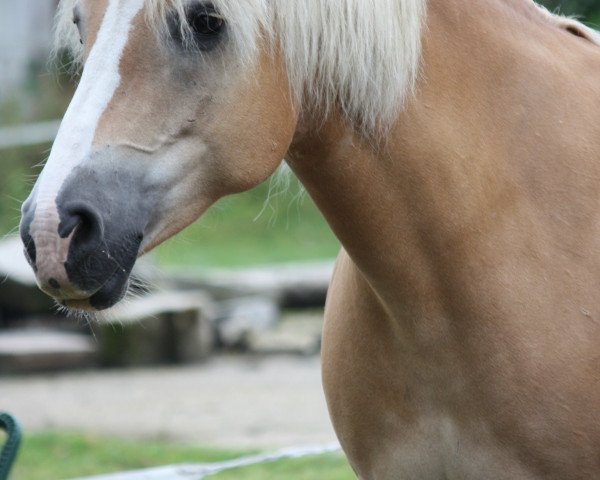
82,244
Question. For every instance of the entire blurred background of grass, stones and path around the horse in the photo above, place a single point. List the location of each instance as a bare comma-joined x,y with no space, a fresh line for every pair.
220,346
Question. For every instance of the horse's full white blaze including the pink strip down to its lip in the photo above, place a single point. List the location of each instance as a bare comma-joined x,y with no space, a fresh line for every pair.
72,147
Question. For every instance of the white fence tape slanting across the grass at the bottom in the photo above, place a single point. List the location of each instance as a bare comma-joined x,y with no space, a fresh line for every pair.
200,472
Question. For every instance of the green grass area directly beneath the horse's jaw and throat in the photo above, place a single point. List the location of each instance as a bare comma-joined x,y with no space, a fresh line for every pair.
253,228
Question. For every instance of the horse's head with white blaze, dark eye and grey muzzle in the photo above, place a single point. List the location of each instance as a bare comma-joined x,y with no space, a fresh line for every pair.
178,105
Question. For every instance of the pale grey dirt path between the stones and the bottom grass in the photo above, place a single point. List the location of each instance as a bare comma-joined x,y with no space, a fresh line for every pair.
230,401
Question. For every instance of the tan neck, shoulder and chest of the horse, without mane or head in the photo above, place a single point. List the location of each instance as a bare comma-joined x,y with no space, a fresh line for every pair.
462,336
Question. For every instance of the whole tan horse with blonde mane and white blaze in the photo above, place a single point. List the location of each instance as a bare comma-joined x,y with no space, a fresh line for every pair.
452,145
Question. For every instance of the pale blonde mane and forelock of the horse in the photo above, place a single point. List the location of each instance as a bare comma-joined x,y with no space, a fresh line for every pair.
360,55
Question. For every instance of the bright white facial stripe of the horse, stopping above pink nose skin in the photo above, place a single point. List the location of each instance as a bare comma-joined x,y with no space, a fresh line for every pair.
99,81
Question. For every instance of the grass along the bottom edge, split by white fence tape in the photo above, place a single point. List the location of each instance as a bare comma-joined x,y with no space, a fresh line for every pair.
59,456
